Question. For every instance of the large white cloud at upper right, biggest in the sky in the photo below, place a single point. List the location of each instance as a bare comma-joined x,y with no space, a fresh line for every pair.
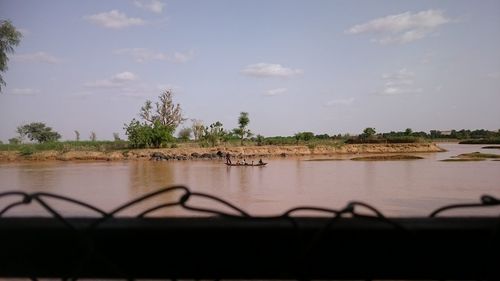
402,28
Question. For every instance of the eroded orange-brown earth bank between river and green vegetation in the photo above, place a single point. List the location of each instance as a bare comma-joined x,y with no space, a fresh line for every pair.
189,153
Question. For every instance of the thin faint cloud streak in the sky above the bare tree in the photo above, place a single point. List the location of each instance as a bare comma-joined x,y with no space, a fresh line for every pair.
143,55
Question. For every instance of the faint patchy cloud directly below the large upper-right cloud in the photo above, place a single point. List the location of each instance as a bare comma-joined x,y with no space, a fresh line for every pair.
400,82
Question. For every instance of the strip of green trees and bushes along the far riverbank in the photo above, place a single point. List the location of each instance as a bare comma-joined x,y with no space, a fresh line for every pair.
160,120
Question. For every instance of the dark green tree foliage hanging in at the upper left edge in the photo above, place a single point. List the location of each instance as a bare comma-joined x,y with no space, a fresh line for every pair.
9,37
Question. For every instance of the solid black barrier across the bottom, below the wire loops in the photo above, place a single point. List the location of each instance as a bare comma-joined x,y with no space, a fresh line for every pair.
231,248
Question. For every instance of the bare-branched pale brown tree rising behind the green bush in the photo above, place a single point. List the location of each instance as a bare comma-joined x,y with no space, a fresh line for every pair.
166,112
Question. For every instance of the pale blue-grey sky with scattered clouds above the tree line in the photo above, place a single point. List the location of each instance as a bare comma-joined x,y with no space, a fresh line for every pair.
322,66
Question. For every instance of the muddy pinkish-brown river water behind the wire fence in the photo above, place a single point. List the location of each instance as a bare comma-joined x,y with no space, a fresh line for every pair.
397,188
